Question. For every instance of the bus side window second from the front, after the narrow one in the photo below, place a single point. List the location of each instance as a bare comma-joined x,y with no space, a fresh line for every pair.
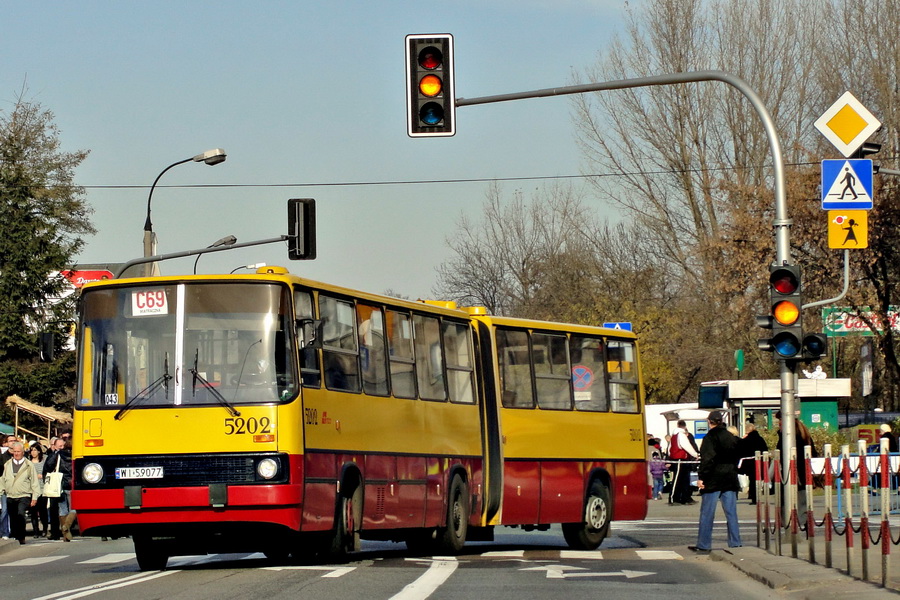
339,344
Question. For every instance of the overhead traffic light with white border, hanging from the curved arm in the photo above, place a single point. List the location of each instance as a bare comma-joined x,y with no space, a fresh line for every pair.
430,100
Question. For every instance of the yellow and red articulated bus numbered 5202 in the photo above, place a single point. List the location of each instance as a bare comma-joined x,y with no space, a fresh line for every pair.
270,413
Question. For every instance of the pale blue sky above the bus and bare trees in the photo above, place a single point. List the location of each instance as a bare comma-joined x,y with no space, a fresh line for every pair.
297,93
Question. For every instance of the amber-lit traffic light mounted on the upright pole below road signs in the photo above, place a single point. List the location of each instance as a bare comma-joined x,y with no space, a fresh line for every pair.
784,319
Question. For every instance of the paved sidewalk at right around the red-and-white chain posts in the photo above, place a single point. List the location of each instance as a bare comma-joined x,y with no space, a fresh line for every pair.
796,577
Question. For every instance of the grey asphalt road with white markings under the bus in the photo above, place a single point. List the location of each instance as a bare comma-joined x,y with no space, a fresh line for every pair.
639,560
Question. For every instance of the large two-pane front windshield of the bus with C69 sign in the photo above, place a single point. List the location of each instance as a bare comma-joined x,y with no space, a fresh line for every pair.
186,344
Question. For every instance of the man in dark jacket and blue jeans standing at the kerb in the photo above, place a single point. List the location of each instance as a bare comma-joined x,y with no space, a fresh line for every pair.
718,482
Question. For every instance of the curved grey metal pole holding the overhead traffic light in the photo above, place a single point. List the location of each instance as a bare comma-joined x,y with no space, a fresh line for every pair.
782,224
